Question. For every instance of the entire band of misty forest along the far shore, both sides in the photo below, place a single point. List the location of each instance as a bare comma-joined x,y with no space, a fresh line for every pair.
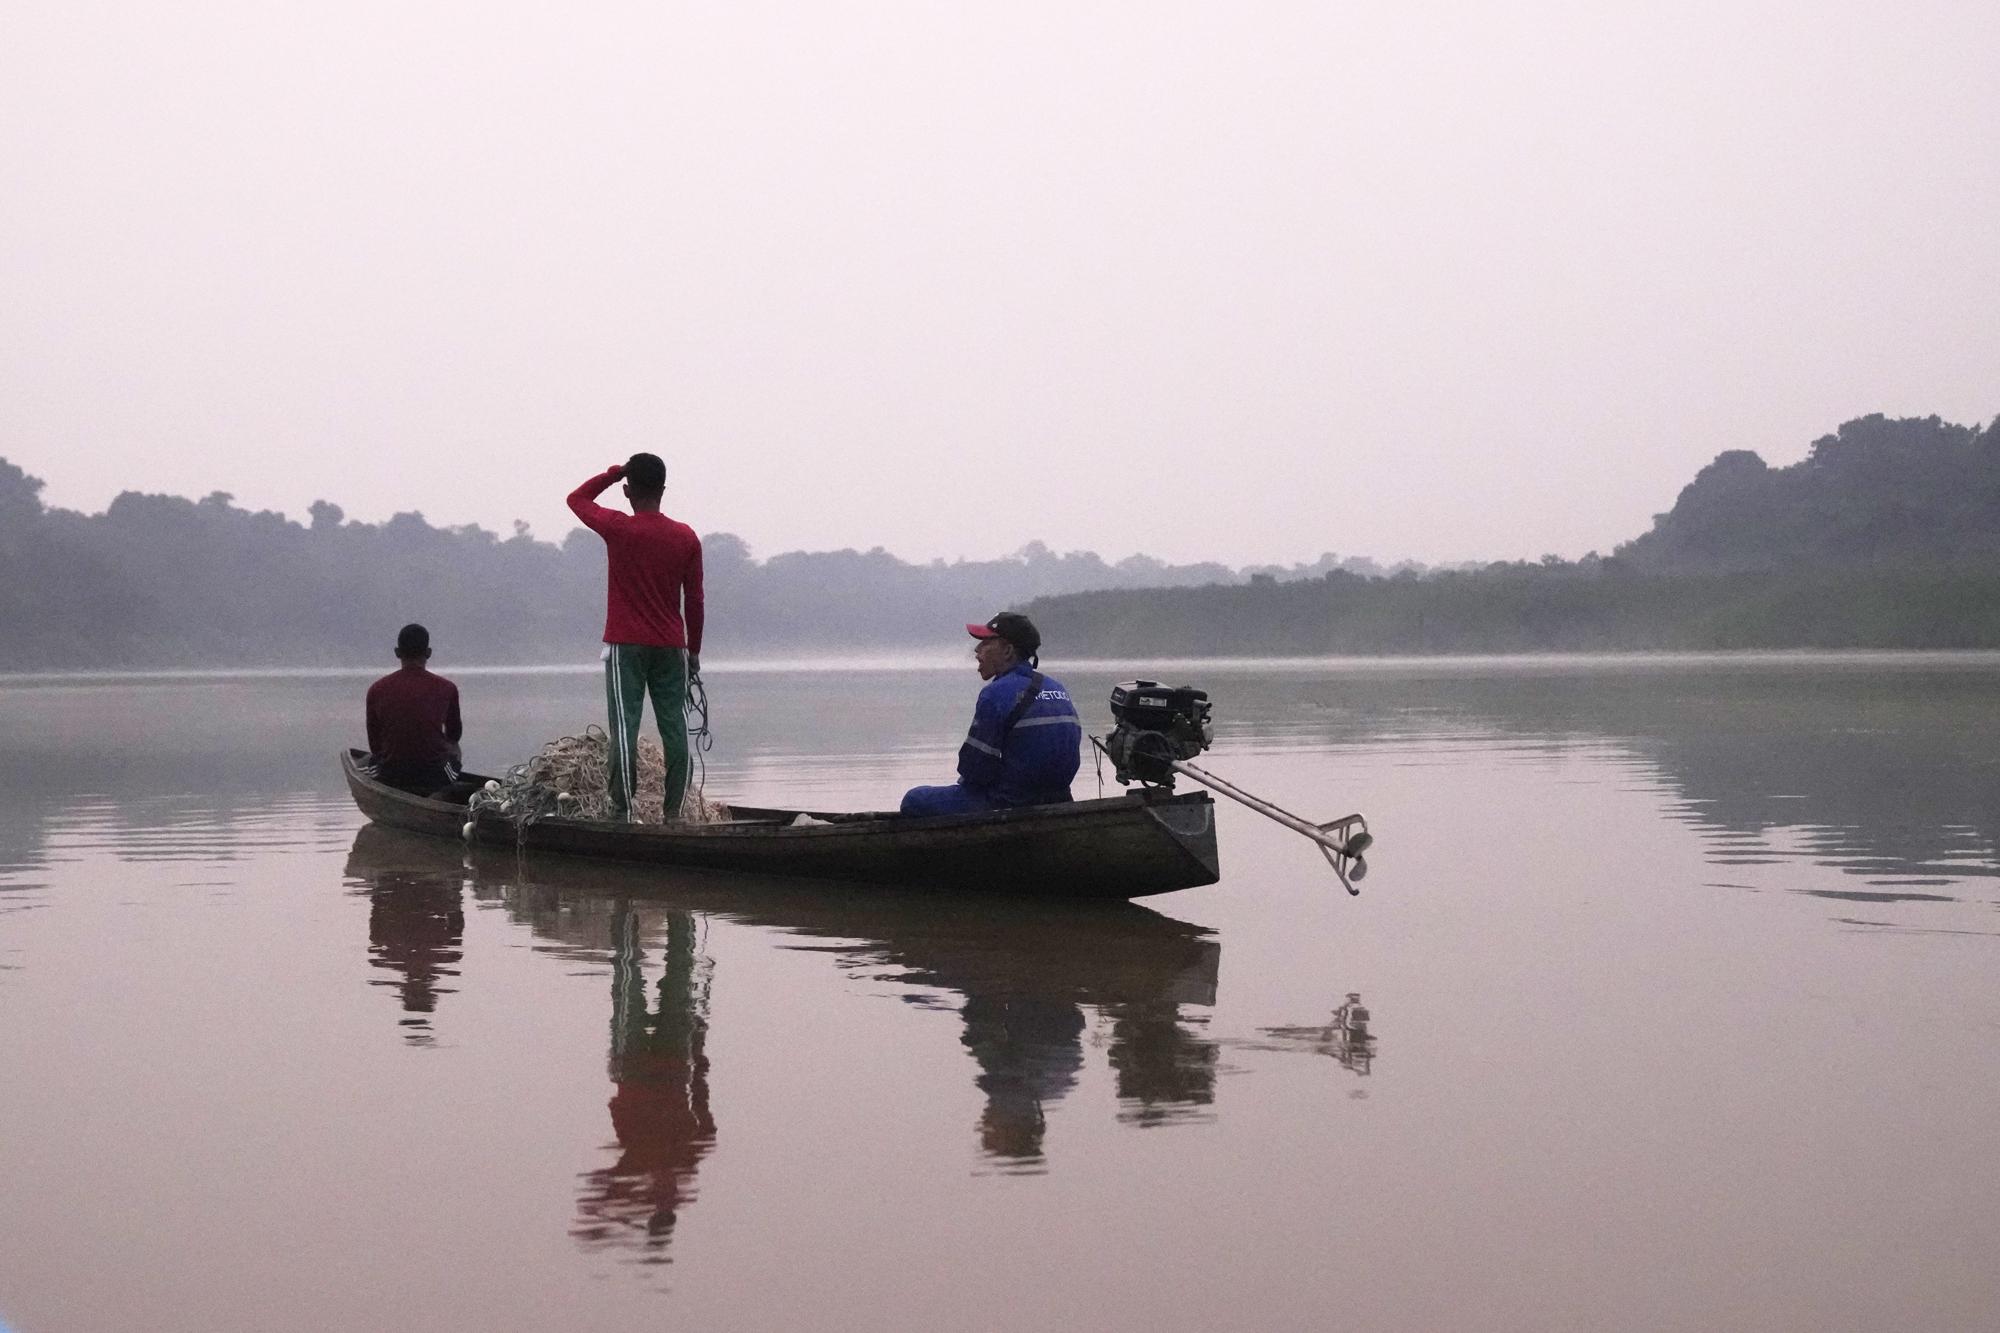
1887,535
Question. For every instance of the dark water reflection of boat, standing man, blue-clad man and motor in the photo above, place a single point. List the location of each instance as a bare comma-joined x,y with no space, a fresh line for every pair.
1027,974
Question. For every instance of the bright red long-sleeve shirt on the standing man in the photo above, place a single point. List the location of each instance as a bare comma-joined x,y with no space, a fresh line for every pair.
655,587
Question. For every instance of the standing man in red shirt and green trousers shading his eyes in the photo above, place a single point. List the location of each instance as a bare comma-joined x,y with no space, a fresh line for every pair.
653,621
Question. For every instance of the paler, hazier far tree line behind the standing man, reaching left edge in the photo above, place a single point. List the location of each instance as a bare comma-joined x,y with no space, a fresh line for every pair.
165,581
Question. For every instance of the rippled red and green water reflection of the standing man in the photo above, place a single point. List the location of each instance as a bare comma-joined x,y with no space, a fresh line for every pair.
659,1068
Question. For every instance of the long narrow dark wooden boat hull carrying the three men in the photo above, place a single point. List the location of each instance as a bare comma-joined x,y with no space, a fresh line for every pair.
1119,848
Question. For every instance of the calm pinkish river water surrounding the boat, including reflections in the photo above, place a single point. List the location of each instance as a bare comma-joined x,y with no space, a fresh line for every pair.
1673,1002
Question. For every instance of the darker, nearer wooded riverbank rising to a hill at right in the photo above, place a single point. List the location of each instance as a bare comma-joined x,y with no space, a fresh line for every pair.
1887,535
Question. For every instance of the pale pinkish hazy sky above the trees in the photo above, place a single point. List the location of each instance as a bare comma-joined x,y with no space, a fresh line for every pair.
1209,281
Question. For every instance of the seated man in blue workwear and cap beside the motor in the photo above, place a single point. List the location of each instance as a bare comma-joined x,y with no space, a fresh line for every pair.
1025,744
